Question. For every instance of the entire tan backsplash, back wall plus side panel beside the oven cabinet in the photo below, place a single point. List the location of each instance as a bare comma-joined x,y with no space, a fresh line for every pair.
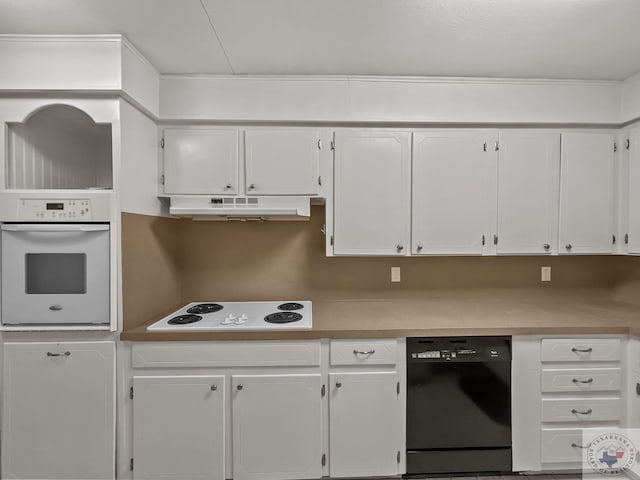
167,262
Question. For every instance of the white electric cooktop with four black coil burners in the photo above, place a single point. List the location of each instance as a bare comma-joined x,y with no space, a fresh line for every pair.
231,316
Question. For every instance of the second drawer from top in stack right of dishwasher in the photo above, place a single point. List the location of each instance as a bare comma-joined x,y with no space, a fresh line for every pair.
581,380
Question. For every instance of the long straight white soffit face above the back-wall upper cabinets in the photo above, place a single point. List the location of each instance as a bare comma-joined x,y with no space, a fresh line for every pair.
388,100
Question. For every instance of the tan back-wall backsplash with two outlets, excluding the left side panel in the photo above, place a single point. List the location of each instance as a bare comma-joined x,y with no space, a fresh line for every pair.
286,260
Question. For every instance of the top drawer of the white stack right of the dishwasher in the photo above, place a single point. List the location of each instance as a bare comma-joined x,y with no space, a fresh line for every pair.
580,350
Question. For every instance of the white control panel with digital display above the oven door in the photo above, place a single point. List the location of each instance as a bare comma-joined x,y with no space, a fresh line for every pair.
58,210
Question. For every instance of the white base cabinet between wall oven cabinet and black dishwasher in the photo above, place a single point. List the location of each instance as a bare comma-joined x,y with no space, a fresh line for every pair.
263,410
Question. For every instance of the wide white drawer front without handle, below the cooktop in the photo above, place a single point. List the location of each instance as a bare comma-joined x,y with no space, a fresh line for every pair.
226,354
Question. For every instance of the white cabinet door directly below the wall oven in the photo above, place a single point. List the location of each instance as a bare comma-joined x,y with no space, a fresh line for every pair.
58,410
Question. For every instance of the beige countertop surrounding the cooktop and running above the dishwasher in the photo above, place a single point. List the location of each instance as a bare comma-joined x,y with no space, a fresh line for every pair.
445,313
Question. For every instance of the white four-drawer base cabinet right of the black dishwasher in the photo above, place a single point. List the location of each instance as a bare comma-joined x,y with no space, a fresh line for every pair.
562,388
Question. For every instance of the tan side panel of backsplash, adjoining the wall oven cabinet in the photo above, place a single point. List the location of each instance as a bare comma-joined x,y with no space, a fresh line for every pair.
151,279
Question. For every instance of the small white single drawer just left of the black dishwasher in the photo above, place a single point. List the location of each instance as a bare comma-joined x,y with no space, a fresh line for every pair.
364,352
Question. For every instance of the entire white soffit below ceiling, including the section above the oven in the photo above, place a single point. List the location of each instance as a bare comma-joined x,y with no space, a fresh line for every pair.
109,63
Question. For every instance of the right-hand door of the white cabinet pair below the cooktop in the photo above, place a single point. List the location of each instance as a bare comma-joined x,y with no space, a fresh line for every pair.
277,422
